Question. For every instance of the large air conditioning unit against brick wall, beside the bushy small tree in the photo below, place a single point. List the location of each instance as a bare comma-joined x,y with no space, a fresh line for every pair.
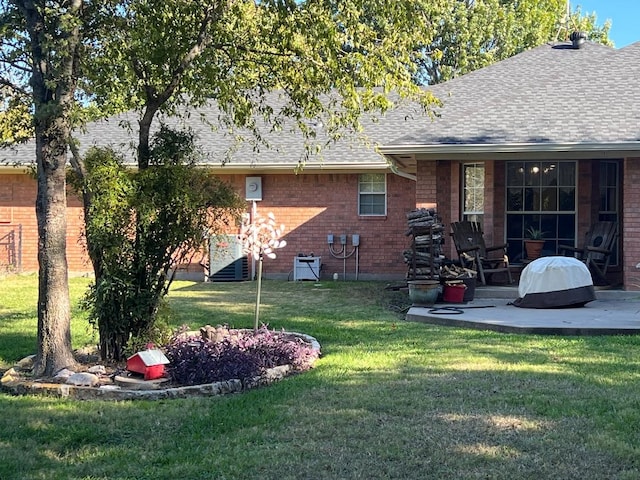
227,262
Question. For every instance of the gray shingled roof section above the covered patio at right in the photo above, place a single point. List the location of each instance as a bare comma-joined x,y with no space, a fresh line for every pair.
550,97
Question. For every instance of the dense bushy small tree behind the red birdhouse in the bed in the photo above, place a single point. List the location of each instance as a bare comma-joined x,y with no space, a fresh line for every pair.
140,226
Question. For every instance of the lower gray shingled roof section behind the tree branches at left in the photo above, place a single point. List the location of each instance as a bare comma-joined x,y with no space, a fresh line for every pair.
282,150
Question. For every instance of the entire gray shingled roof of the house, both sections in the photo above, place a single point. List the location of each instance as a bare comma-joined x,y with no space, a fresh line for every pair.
550,98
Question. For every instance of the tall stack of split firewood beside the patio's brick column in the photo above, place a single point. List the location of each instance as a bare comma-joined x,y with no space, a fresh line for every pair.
424,258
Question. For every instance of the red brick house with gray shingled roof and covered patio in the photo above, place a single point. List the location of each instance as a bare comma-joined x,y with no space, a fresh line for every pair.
549,137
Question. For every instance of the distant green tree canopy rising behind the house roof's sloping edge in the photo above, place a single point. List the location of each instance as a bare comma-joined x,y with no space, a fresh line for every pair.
472,34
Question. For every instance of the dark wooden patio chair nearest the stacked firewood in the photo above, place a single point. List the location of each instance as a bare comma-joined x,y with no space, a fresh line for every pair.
474,254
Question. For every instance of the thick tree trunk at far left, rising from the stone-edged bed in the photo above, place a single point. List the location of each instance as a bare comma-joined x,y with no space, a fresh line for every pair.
55,58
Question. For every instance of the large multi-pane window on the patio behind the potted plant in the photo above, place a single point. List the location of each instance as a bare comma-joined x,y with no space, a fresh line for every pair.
541,195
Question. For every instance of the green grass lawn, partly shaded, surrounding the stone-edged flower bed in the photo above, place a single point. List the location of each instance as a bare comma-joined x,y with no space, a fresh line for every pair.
388,399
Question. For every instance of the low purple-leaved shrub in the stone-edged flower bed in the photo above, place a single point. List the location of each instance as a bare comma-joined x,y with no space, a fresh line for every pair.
239,354
